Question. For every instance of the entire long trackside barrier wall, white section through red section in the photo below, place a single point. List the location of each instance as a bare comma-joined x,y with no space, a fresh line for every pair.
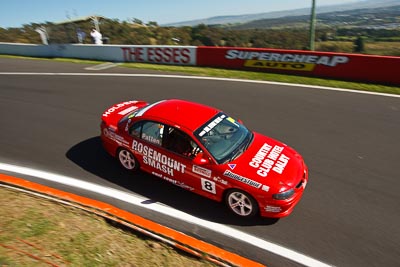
352,67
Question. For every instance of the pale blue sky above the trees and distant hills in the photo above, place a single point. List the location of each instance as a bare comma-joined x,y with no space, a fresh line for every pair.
15,13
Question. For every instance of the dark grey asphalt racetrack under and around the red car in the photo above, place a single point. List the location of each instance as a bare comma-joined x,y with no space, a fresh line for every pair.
350,211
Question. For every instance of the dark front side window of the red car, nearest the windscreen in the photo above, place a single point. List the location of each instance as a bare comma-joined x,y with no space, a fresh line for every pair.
179,142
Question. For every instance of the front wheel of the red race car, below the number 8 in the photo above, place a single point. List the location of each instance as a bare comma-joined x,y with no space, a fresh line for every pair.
241,203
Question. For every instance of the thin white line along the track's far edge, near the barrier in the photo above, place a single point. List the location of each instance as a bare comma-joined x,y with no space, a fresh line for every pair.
198,78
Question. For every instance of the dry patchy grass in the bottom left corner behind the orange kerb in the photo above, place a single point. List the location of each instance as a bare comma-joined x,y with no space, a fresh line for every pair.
39,232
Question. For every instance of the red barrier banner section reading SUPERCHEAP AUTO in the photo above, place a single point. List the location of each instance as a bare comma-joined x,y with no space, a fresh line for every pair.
354,67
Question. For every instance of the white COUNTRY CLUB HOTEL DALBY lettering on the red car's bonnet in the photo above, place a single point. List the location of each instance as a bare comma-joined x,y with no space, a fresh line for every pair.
268,158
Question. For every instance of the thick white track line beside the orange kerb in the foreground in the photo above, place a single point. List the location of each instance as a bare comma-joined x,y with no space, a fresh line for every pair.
144,203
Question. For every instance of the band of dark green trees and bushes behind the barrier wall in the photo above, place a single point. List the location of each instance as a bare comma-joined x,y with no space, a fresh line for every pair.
136,32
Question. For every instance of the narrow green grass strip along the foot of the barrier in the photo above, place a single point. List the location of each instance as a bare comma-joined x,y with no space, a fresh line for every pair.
246,75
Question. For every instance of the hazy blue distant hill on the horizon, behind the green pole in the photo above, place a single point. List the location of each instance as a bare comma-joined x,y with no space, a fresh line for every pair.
237,19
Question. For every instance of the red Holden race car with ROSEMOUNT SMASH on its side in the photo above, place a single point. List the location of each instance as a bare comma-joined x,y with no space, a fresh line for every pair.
204,150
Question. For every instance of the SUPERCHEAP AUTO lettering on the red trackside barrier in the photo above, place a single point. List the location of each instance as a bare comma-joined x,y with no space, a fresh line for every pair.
285,61
